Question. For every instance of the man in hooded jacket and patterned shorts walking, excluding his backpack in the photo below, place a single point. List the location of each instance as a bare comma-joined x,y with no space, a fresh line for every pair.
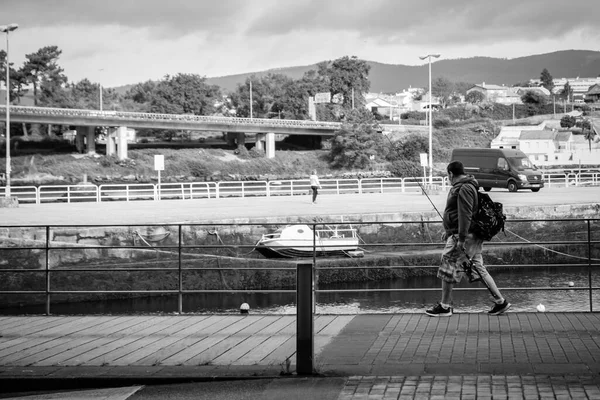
461,245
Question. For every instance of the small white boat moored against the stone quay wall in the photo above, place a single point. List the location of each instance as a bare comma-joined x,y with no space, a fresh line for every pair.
299,241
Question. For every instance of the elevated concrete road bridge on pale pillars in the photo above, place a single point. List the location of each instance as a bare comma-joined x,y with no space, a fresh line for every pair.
87,120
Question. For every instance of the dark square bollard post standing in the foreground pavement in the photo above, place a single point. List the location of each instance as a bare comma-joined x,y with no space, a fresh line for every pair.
304,319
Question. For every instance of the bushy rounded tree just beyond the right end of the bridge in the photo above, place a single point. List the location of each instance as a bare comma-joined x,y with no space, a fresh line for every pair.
357,142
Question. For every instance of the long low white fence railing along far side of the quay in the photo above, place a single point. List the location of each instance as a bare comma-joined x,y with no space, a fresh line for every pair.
284,187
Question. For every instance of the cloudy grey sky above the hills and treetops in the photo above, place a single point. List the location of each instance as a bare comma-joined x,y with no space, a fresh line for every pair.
119,42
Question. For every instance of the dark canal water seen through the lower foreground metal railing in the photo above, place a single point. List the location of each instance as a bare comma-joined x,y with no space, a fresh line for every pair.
570,294
